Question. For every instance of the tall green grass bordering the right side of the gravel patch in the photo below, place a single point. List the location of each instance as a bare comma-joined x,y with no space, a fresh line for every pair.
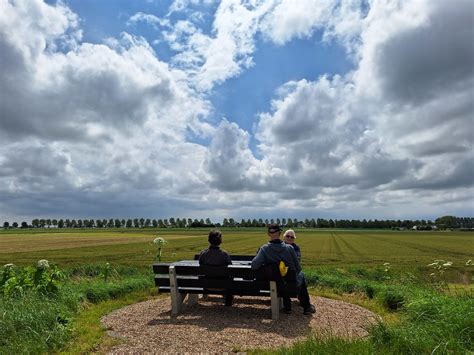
432,320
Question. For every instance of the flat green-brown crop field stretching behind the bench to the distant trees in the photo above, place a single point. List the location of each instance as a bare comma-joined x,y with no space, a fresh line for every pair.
404,249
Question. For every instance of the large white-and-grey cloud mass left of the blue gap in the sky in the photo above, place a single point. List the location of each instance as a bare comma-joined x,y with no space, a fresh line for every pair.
90,119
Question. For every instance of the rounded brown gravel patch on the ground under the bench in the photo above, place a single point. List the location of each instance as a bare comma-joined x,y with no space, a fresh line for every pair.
210,327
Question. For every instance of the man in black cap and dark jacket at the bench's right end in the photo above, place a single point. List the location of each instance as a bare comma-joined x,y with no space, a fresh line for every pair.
275,251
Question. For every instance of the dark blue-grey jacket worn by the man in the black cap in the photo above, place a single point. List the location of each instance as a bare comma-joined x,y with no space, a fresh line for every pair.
274,252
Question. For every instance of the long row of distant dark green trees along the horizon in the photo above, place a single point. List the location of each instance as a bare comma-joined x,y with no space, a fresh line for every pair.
441,222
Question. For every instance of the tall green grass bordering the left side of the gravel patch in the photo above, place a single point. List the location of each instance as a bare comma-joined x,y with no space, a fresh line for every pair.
38,323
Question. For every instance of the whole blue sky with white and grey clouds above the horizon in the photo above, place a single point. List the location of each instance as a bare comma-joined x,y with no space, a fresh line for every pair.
241,109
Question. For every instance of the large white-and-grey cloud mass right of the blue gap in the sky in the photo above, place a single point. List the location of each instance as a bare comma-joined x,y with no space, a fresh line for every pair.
399,123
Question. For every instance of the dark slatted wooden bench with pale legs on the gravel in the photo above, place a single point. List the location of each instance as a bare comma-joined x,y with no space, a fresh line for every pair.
188,278
